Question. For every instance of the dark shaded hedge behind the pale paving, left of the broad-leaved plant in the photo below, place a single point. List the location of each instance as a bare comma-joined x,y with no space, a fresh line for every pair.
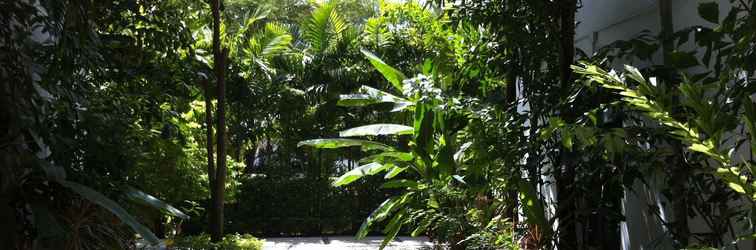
287,206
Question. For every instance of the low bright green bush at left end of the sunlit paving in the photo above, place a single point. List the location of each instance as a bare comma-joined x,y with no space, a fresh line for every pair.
230,242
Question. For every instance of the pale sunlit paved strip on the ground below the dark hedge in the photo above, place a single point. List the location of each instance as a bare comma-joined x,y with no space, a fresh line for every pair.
345,243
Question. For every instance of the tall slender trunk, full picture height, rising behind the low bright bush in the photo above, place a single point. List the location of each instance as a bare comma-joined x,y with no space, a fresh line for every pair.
218,191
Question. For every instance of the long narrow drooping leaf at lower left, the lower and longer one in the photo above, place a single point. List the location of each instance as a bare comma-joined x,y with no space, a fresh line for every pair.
113,207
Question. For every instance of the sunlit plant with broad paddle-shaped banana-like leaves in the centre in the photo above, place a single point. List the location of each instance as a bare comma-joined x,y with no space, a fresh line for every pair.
431,161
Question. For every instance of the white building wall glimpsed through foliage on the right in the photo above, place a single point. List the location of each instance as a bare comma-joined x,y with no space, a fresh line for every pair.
601,22
